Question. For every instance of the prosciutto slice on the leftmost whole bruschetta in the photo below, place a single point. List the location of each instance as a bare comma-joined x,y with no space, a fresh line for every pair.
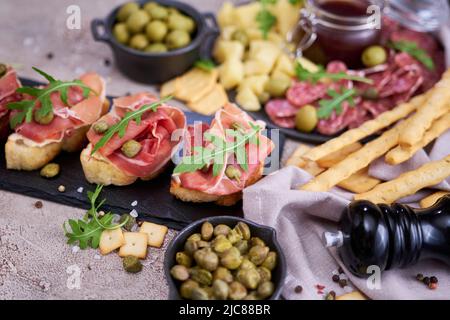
77,113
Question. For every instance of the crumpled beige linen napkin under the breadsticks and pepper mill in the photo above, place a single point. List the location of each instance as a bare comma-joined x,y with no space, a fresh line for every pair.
301,217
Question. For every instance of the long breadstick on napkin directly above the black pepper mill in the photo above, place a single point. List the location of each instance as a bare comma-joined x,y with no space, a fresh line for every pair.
409,182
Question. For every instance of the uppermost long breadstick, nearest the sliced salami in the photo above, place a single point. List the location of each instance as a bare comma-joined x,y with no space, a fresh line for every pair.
370,127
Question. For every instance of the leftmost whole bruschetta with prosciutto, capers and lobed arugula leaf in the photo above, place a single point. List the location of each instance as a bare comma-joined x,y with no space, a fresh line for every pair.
53,118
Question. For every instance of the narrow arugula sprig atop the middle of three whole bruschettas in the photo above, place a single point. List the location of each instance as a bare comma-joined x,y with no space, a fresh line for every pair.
120,127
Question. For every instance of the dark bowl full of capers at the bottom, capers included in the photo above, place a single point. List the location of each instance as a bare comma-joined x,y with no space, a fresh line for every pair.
225,258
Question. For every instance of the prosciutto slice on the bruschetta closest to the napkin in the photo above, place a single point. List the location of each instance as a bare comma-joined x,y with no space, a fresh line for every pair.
204,180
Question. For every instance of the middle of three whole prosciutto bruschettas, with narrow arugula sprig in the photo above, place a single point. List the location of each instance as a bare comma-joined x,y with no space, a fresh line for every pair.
135,140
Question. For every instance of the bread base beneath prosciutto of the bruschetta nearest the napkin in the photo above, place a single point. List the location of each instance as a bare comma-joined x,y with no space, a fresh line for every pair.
189,195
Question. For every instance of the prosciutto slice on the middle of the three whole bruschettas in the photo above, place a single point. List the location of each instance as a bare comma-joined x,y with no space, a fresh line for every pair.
159,133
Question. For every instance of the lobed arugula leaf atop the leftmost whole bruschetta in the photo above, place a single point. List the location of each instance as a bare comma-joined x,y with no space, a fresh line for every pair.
42,95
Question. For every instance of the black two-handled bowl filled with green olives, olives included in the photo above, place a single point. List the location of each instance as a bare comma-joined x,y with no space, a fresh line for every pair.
154,41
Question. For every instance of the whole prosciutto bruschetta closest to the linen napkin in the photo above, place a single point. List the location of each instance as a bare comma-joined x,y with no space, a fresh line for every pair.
221,159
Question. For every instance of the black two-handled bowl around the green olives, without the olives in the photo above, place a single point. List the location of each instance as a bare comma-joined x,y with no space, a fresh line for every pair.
154,68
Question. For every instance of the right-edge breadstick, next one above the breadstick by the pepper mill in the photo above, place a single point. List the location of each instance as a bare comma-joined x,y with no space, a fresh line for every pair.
401,154
